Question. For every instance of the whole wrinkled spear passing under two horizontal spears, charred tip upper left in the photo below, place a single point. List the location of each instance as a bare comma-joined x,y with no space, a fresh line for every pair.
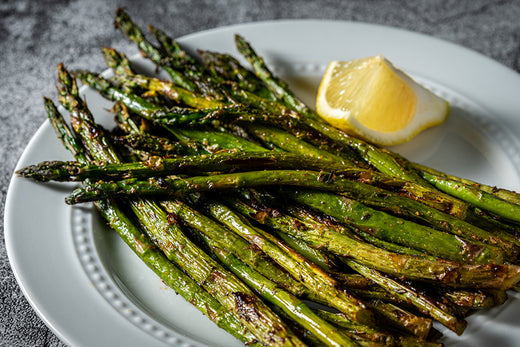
250,311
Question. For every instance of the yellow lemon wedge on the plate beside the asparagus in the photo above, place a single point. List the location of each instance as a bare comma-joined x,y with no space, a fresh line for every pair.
372,99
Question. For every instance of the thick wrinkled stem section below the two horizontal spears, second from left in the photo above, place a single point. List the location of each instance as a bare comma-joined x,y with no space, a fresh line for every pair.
223,285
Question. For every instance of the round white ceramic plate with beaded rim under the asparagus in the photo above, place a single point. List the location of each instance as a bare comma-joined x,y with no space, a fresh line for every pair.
92,291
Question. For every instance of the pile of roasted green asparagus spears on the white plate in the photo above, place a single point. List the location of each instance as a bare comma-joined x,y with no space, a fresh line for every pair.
278,227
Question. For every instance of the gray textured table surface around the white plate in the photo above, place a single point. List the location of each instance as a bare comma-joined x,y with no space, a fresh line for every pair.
36,35
